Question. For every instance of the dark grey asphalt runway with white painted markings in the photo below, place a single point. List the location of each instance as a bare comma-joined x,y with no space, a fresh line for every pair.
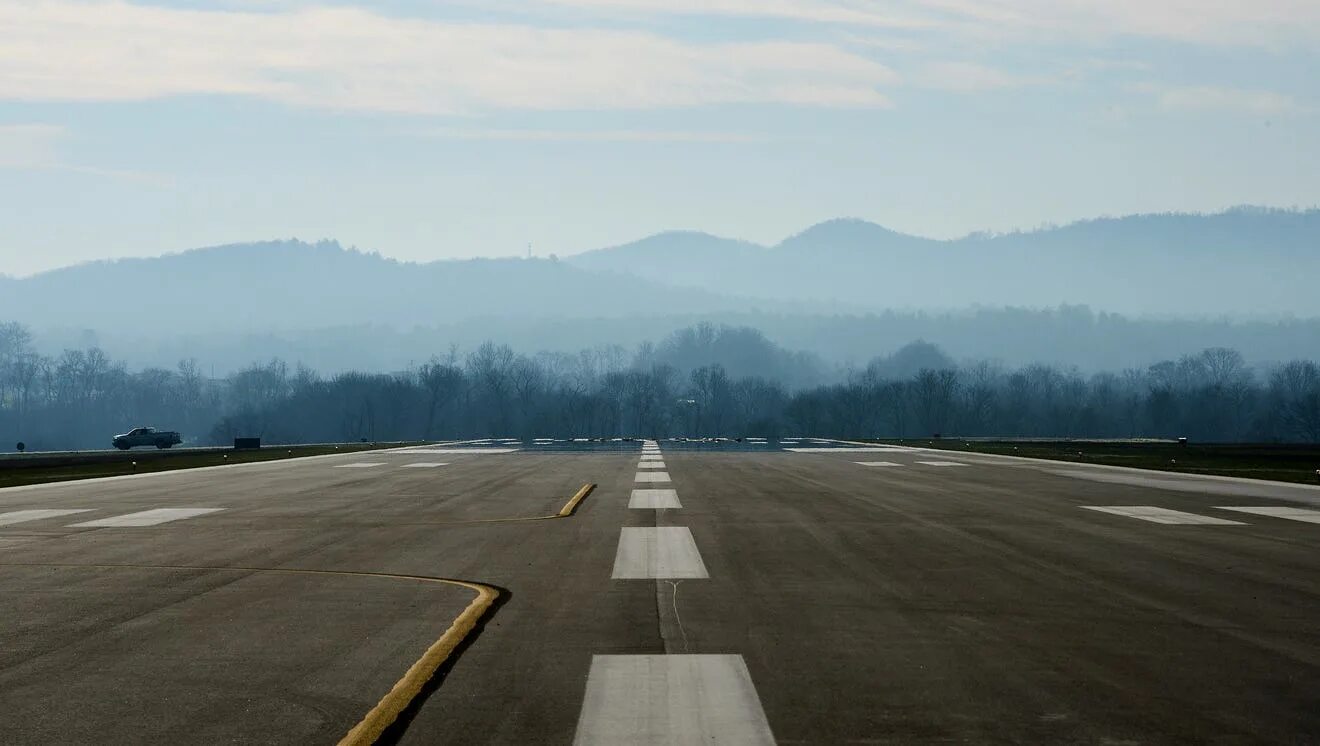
805,592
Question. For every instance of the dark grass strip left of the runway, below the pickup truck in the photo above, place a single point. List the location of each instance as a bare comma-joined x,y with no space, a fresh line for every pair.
38,468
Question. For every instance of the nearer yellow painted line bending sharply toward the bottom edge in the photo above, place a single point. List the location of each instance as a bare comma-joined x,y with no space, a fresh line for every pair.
419,674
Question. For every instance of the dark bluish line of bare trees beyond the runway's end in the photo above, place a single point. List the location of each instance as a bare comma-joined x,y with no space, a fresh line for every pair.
704,381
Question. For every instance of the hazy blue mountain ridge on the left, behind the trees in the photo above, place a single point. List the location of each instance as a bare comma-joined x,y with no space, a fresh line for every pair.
280,286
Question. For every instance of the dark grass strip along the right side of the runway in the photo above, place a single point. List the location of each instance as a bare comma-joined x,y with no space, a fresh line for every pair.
1256,461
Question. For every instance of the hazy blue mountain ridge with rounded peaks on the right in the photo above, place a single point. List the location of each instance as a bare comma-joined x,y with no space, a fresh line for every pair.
1245,261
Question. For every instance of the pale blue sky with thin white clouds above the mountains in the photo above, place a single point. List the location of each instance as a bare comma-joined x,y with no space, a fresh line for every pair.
434,130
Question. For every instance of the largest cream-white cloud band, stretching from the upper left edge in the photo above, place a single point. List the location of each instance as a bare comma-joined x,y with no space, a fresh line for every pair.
356,60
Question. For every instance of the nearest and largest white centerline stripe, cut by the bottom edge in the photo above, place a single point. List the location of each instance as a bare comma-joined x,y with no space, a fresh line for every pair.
670,700
